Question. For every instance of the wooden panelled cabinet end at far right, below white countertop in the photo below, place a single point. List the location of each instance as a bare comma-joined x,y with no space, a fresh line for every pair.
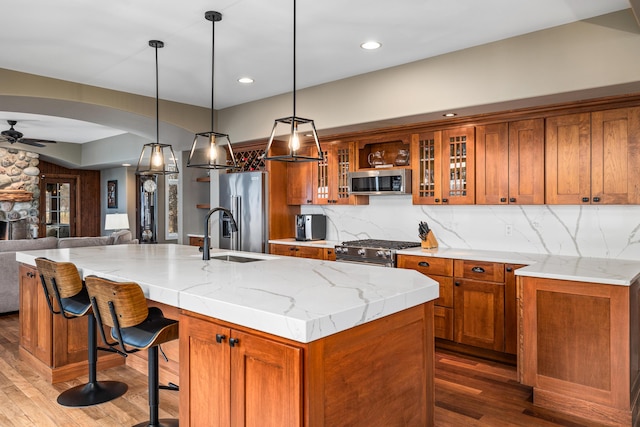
580,347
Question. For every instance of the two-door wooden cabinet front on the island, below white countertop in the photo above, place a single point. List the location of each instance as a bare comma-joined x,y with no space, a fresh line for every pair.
230,377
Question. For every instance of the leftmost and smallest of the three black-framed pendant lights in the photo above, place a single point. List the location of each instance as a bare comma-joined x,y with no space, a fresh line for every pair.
156,158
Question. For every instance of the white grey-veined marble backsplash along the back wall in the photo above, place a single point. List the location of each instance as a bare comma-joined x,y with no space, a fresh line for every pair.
586,231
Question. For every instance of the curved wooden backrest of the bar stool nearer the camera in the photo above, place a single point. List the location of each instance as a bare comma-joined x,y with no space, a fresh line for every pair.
127,299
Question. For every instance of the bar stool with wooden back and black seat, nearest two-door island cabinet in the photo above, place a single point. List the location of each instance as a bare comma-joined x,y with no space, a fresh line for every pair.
134,326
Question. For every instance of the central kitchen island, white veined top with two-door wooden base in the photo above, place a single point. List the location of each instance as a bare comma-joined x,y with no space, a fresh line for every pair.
269,340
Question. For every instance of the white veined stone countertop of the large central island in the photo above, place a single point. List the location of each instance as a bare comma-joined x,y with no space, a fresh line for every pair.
296,298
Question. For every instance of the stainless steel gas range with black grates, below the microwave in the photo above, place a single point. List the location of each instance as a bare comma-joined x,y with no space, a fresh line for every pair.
370,251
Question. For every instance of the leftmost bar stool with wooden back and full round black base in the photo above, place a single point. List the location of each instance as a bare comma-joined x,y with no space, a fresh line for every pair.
61,282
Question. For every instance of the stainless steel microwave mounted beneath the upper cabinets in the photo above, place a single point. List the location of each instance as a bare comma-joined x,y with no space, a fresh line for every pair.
380,181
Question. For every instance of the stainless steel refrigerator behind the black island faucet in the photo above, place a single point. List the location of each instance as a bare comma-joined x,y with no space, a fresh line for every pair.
245,195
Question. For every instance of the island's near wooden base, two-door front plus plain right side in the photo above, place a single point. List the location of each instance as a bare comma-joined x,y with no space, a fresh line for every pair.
377,373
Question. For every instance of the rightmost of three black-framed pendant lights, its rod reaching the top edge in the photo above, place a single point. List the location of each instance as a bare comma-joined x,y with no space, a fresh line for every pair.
296,125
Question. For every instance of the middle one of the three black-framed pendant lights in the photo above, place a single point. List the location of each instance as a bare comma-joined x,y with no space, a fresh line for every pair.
204,150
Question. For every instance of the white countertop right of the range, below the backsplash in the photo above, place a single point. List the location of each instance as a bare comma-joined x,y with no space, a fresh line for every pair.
596,270
